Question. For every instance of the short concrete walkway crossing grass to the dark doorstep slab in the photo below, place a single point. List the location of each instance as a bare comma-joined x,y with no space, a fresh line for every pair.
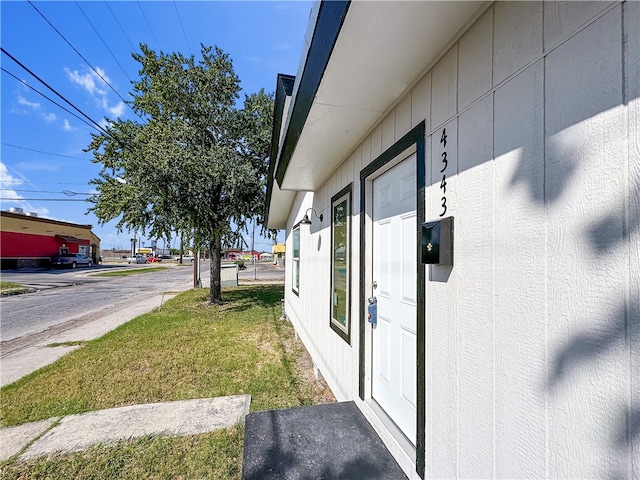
78,432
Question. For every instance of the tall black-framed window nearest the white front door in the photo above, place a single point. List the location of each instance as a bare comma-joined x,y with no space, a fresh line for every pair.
340,263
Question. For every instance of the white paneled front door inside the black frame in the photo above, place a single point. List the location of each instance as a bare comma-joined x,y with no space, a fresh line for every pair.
394,369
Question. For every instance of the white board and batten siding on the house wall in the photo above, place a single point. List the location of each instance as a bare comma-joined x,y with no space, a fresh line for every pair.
533,336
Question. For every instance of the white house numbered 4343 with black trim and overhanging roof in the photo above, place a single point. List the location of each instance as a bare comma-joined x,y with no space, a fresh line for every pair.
516,125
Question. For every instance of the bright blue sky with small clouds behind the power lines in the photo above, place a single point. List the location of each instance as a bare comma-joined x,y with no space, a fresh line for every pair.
43,168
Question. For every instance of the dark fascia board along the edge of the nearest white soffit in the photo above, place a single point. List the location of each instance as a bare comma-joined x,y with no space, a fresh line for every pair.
331,16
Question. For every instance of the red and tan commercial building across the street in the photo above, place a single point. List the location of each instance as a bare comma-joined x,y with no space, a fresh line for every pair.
27,240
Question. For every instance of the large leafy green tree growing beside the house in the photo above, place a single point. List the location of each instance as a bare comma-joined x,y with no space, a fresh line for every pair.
192,164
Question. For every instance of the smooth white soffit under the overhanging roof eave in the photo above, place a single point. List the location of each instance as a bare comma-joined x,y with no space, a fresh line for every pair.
381,49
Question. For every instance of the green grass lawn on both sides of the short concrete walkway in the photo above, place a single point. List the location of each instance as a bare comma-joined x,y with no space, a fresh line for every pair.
190,349
